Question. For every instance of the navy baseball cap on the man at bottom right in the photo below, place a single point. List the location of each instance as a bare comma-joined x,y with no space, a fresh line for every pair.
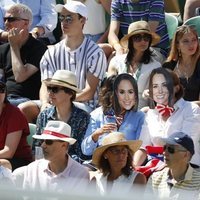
180,138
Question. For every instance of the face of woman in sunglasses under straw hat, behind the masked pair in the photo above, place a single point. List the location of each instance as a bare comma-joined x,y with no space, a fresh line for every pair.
141,42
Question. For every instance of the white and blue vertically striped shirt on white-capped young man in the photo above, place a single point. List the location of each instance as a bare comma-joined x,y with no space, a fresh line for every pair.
88,57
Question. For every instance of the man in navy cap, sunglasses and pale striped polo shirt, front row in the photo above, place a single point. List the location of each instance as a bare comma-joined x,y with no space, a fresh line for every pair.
179,178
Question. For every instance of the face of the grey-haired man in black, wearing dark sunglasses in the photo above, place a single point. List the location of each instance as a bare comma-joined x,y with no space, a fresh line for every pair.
12,20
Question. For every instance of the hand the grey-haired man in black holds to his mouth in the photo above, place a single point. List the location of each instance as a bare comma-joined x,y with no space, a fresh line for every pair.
16,37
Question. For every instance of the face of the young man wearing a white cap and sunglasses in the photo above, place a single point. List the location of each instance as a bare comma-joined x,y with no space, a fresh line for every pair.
71,23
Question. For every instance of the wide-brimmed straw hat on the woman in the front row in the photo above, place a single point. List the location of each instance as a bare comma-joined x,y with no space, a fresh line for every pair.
114,139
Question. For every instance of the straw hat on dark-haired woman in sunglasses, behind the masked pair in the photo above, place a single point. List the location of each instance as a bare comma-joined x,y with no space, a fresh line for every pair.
137,28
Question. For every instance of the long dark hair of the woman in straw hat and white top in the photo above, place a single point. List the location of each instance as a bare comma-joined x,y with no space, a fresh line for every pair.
131,53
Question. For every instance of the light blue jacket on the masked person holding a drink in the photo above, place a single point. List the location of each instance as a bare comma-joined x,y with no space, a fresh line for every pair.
131,127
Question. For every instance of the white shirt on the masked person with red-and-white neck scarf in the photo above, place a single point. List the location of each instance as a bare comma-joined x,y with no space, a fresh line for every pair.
185,118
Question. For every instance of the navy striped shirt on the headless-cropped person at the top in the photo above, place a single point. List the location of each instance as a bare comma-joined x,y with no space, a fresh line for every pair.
128,11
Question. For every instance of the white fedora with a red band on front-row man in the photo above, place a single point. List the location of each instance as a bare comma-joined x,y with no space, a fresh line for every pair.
56,130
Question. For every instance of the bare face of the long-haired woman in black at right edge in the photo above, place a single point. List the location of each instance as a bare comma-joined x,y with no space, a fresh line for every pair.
188,44
